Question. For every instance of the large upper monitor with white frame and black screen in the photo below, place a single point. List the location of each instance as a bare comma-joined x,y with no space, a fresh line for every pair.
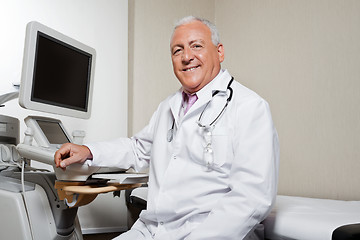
57,73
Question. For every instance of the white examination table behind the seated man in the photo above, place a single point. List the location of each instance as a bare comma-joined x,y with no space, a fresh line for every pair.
292,217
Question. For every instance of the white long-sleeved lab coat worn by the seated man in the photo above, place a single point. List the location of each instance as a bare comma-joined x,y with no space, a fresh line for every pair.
185,201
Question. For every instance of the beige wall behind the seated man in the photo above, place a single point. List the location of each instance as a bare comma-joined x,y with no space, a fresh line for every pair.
302,56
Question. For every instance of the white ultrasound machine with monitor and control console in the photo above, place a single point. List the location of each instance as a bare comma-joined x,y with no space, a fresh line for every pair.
57,77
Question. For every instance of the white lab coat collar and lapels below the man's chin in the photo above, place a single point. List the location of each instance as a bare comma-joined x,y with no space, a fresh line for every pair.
219,83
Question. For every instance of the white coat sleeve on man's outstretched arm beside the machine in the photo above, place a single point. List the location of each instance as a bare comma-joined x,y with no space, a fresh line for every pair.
125,153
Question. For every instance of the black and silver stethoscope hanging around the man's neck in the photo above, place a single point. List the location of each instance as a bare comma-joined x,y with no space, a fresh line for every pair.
207,129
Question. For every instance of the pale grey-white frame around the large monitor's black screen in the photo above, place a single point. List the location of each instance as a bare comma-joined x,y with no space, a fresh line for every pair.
26,85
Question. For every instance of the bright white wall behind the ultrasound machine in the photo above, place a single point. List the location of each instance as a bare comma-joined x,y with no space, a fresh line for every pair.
103,26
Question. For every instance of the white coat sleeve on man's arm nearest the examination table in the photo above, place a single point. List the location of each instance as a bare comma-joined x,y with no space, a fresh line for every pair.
252,178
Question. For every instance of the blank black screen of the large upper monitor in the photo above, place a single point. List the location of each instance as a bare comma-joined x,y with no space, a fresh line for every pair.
61,74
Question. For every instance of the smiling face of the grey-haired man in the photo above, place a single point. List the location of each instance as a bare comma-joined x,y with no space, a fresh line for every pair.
196,60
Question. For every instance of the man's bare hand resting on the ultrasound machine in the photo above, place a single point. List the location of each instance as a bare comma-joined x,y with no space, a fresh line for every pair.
70,153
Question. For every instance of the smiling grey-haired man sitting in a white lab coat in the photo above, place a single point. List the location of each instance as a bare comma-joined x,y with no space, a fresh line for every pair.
211,149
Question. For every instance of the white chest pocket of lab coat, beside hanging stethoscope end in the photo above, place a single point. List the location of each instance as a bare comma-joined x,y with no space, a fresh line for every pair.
220,144
